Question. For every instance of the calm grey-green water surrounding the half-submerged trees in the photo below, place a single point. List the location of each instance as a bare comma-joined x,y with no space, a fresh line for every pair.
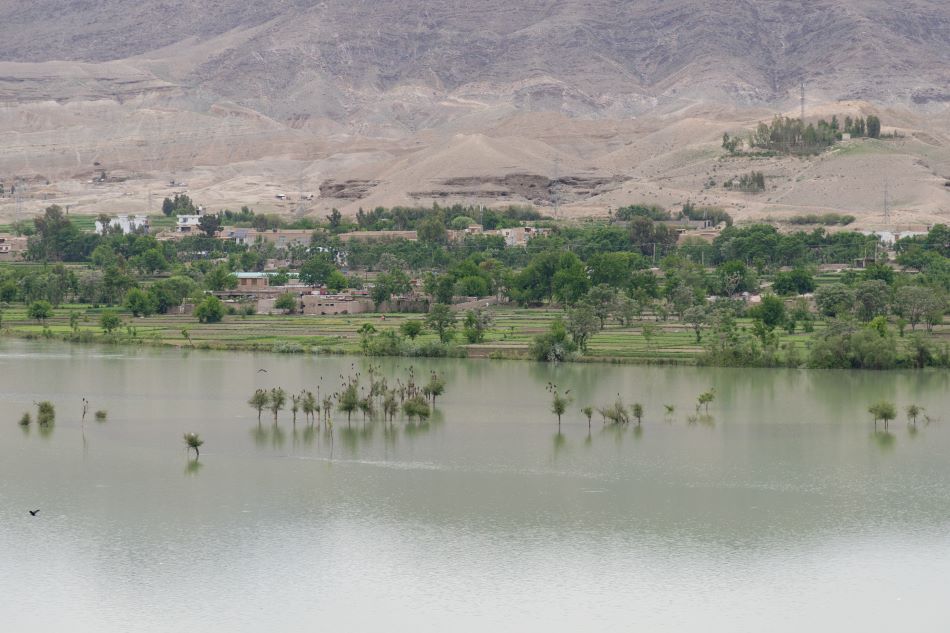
782,510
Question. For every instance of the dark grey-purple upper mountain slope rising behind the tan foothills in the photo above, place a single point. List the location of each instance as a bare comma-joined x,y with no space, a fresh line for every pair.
302,58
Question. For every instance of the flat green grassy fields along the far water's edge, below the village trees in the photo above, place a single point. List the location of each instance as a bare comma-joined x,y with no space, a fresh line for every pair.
514,328
